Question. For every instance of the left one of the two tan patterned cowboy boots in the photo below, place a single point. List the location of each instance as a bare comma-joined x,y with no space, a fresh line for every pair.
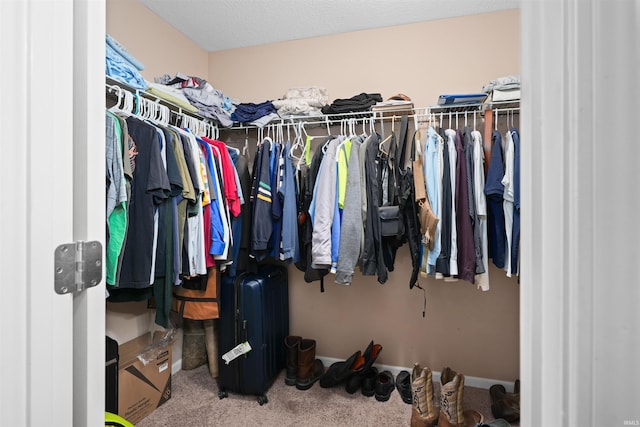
424,412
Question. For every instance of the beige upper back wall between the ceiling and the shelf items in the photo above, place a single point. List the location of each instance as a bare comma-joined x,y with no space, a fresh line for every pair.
421,60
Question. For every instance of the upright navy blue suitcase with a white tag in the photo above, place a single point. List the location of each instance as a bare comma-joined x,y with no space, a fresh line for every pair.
254,309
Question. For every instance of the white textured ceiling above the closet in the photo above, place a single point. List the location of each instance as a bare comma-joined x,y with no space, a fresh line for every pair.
227,24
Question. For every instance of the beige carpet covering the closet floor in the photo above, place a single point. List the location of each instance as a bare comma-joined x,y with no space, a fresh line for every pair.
195,403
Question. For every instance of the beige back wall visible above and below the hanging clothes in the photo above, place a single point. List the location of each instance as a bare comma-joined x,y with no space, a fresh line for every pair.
468,330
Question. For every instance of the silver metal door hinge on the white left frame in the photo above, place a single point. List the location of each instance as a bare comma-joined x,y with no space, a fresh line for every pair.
77,266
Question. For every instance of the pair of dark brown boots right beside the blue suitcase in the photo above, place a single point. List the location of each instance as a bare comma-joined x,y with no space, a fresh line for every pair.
302,367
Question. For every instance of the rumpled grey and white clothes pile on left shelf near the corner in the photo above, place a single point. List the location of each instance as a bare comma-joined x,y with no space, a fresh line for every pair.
210,102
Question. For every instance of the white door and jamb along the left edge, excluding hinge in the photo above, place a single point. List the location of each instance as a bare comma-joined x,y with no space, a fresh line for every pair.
52,192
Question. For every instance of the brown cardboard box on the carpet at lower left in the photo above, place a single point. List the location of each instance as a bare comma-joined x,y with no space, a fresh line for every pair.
144,376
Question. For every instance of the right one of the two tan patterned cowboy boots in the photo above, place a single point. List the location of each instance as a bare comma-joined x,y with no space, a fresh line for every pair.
451,413
